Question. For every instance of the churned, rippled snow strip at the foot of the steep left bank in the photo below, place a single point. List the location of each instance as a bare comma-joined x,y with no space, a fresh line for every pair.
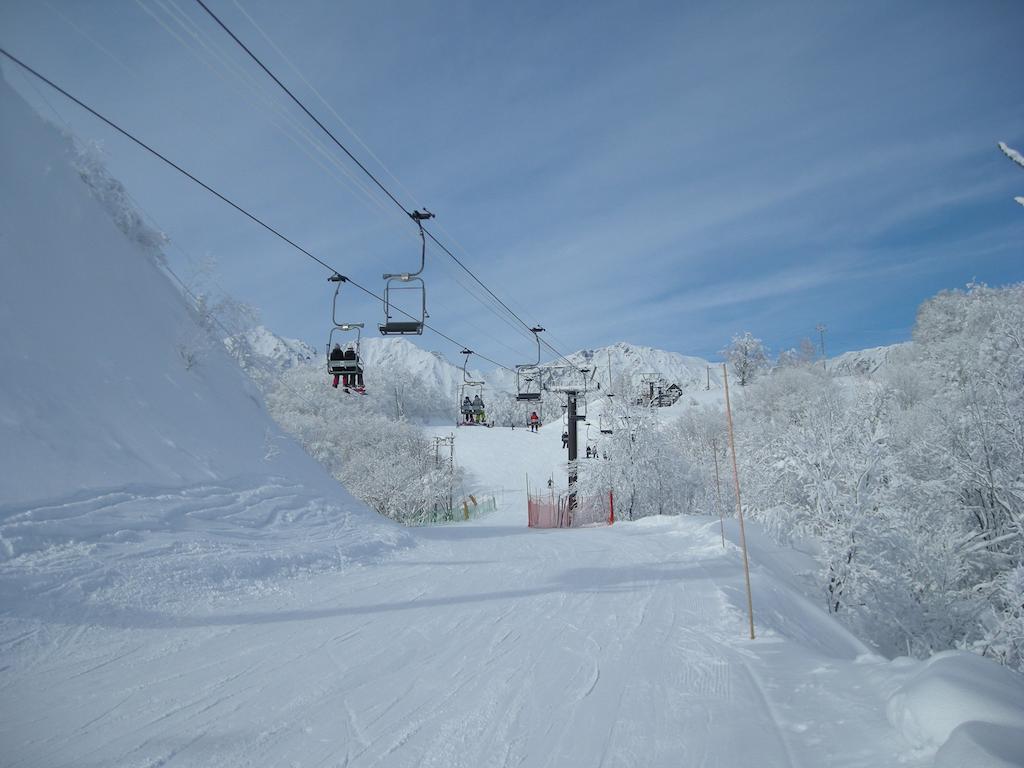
125,547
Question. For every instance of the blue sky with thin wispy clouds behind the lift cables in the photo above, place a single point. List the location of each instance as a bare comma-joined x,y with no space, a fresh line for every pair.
667,175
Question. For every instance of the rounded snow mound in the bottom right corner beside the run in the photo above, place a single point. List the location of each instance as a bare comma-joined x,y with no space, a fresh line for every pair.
967,706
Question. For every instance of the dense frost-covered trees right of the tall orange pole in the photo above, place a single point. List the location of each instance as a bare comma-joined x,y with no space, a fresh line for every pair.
909,485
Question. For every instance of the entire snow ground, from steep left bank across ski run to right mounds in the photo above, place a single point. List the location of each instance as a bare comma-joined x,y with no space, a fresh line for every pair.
182,586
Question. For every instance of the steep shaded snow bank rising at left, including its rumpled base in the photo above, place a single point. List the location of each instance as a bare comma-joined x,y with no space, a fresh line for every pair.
124,428
